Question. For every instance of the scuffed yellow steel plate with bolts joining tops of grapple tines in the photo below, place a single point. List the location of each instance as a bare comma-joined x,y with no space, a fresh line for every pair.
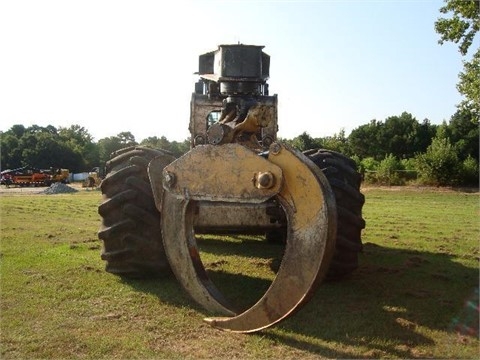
222,173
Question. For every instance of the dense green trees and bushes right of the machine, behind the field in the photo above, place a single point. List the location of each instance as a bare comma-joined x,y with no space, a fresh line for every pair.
402,150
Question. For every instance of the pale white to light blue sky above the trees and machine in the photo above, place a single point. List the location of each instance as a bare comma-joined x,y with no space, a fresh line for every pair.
114,66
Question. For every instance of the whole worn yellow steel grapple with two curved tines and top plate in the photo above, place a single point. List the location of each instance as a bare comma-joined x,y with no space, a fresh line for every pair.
233,174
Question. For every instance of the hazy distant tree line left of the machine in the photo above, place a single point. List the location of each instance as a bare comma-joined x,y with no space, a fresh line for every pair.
70,147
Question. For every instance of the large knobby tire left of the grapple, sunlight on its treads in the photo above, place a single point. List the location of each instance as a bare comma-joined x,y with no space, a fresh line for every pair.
130,229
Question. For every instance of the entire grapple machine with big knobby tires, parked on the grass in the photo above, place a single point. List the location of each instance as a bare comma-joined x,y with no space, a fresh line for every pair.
237,178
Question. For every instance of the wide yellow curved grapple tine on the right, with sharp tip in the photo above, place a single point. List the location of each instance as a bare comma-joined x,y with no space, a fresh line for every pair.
310,207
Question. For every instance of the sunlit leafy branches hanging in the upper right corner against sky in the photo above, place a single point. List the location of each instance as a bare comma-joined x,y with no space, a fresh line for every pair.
461,27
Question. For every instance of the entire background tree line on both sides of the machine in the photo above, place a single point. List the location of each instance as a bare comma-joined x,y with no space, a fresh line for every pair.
395,151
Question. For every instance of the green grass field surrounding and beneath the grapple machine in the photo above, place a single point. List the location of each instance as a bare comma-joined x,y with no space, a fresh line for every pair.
412,297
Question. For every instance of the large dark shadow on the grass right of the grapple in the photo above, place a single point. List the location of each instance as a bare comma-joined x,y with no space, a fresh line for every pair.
385,302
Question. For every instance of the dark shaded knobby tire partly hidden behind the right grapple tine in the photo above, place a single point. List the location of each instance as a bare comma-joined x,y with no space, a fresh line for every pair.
344,180
